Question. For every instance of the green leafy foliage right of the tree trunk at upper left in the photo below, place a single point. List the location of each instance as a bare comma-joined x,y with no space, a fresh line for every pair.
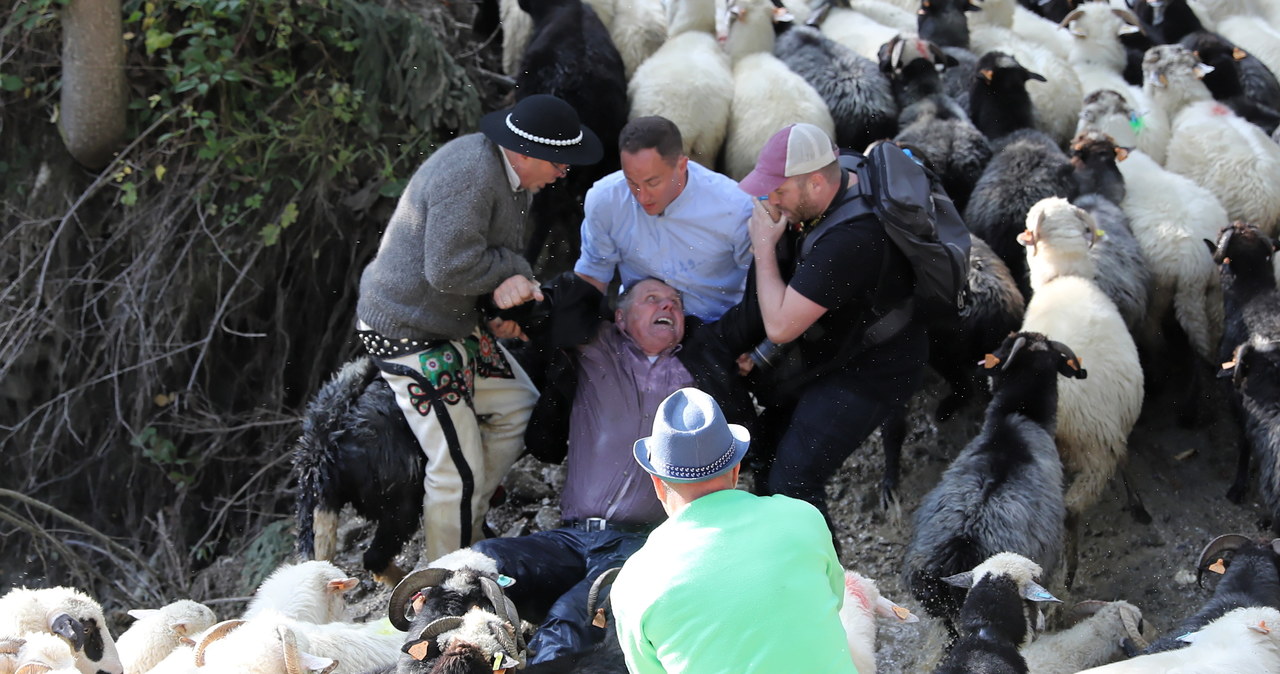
280,89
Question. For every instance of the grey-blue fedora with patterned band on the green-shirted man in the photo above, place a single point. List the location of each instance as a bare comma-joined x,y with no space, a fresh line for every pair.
692,442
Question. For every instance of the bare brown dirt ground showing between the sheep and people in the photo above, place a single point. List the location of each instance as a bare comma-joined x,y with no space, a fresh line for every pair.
1182,476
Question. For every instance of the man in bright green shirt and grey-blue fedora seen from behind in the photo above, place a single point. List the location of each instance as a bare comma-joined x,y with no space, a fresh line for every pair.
730,583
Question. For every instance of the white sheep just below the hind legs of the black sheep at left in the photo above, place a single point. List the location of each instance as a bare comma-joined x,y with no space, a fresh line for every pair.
312,592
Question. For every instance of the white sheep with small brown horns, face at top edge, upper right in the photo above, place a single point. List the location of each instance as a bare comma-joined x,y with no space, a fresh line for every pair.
1099,59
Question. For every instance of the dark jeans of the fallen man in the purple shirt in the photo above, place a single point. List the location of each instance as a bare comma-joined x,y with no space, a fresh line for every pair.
554,572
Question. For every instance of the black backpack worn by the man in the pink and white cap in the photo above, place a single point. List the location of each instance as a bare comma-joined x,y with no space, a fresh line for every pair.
922,222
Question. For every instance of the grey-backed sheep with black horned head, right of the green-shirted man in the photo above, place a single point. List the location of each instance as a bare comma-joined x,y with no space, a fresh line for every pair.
1004,493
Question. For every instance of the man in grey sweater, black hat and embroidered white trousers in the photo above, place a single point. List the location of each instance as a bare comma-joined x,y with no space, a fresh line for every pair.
456,237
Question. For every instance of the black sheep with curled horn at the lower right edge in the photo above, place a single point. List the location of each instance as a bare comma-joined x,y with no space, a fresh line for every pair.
1251,577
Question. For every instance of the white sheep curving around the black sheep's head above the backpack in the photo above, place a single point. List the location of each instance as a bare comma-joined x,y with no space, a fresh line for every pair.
1058,99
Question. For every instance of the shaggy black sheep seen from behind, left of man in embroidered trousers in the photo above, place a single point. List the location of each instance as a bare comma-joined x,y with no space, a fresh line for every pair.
358,448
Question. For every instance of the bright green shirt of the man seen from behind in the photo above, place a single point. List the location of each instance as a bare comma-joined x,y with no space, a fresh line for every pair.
734,583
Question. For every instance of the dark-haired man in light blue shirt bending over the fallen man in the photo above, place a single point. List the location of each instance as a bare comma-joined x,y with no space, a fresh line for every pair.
666,218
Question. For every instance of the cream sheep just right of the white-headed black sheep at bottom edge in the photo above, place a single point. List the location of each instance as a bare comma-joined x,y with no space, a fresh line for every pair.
1091,643
